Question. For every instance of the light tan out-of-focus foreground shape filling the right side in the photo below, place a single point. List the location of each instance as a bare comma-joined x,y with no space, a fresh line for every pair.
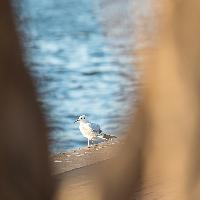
160,159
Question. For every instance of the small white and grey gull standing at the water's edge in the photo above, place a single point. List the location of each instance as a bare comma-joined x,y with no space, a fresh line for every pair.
90,130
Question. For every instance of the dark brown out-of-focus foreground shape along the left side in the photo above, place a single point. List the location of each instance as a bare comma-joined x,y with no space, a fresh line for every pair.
24,168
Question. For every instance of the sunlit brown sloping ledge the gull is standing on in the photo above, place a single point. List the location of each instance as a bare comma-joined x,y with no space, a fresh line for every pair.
66,161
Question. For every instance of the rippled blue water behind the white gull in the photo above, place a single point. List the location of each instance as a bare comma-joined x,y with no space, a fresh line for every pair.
78,67
